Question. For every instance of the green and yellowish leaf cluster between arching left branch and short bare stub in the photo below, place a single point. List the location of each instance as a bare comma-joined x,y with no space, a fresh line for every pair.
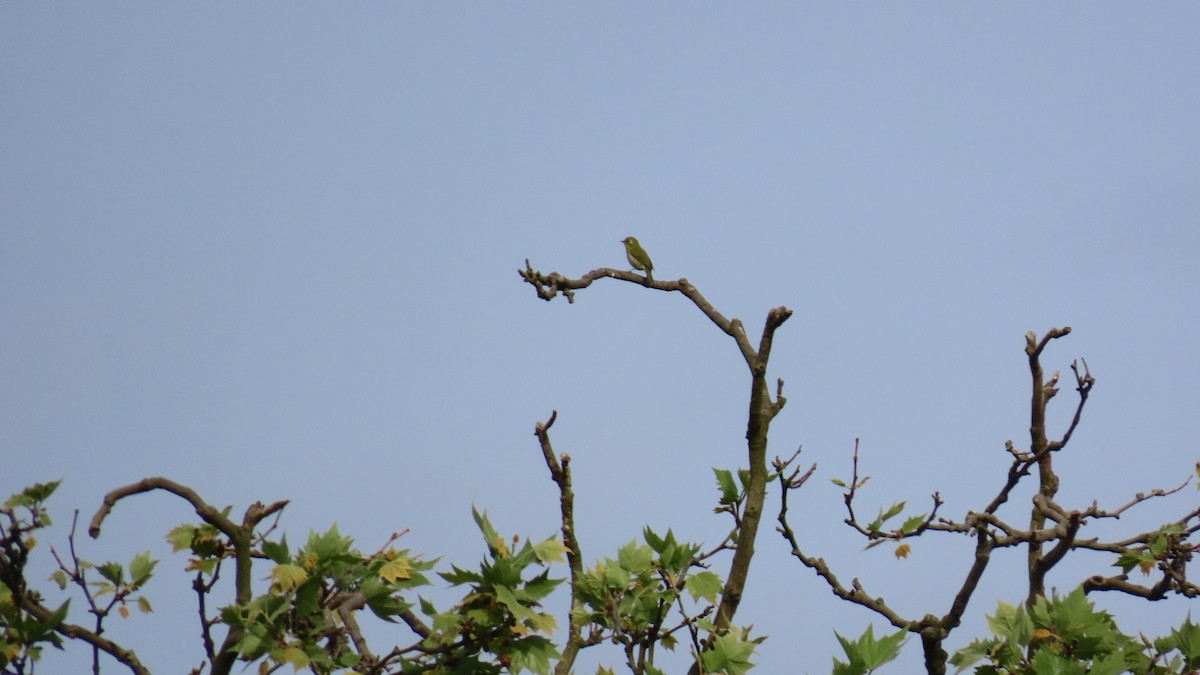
307,617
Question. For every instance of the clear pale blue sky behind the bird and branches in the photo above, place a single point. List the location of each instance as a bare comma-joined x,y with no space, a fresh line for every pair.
271,252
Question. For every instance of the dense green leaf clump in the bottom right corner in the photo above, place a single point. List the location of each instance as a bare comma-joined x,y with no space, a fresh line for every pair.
1069,636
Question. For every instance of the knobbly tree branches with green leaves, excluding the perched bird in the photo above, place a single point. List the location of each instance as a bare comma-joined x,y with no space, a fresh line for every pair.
658,593
